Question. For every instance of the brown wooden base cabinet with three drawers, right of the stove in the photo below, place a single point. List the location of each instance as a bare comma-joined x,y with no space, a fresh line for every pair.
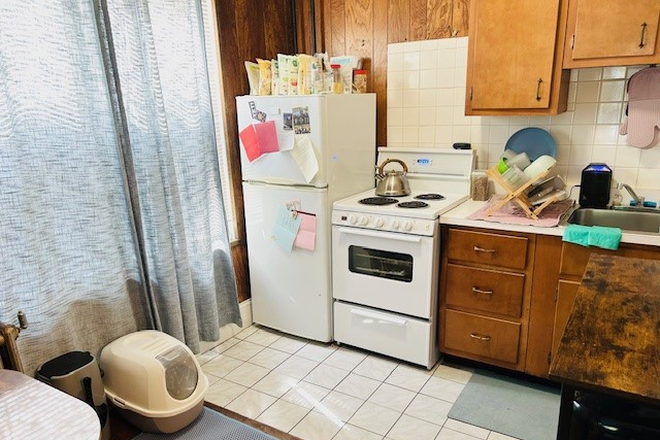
485,292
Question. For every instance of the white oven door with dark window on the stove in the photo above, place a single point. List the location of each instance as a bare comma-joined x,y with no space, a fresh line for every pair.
385,270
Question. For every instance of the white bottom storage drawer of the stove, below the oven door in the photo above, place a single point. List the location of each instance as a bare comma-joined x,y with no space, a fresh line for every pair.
399,336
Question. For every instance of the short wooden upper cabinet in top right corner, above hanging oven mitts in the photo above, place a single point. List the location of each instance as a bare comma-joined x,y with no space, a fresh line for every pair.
612,33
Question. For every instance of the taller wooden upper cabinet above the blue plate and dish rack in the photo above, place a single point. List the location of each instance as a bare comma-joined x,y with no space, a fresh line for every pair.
514,57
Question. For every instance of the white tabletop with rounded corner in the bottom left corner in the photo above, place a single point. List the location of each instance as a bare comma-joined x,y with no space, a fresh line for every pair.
31,409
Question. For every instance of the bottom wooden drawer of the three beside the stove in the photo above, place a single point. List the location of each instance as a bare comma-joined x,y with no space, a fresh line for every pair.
482,336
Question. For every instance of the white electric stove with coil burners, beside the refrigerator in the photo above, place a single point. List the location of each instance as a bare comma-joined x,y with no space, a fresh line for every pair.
385,256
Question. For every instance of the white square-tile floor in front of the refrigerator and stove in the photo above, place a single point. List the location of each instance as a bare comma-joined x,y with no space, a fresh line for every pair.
324,391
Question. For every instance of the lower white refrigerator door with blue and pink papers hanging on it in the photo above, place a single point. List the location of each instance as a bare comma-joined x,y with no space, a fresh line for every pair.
290,290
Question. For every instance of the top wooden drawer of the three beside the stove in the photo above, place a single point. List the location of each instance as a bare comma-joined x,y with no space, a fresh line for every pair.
497,250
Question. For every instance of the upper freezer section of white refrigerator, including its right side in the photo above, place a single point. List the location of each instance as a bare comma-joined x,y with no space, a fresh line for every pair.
342,130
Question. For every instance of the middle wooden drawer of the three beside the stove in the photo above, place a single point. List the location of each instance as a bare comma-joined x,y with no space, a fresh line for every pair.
485,290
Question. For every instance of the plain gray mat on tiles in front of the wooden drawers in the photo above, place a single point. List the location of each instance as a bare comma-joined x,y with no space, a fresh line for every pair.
516,408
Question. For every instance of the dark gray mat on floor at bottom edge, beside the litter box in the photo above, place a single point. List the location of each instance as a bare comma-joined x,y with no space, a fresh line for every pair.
211,425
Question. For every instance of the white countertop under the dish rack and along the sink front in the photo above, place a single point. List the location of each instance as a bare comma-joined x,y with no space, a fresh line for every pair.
458,217
